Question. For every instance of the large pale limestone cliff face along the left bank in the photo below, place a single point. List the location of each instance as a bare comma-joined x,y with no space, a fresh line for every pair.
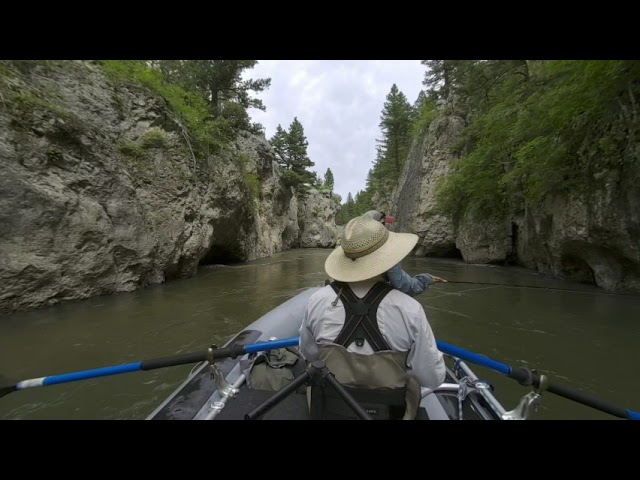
101,191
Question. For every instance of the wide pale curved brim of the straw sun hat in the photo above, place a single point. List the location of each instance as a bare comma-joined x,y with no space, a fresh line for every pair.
343,269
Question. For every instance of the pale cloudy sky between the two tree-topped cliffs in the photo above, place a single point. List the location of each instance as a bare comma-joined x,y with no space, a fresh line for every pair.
339,103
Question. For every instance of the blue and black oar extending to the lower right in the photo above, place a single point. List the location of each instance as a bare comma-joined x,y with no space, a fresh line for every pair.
525,376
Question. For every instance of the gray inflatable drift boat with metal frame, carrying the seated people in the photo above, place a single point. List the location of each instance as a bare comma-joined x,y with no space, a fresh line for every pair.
219,390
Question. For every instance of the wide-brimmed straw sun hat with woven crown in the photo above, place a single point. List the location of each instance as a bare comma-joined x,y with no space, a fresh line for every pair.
366,250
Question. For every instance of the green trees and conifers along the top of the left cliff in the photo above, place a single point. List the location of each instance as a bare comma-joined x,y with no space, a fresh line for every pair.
213,99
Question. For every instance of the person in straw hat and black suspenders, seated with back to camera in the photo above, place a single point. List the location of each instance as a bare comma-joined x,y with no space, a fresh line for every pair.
375,339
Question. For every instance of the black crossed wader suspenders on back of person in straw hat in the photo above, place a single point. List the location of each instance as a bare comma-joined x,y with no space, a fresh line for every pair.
361,321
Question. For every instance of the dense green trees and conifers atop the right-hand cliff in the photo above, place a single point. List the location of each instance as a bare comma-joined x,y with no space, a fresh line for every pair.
530,123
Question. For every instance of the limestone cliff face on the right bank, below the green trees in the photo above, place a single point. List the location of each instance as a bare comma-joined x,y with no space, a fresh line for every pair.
591,234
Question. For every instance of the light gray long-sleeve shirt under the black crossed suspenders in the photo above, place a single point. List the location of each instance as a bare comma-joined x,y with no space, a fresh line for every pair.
402,322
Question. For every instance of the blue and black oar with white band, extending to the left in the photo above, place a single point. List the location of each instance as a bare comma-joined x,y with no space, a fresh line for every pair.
211,354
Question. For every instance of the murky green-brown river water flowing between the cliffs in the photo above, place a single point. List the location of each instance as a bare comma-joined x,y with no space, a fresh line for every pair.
579,335
